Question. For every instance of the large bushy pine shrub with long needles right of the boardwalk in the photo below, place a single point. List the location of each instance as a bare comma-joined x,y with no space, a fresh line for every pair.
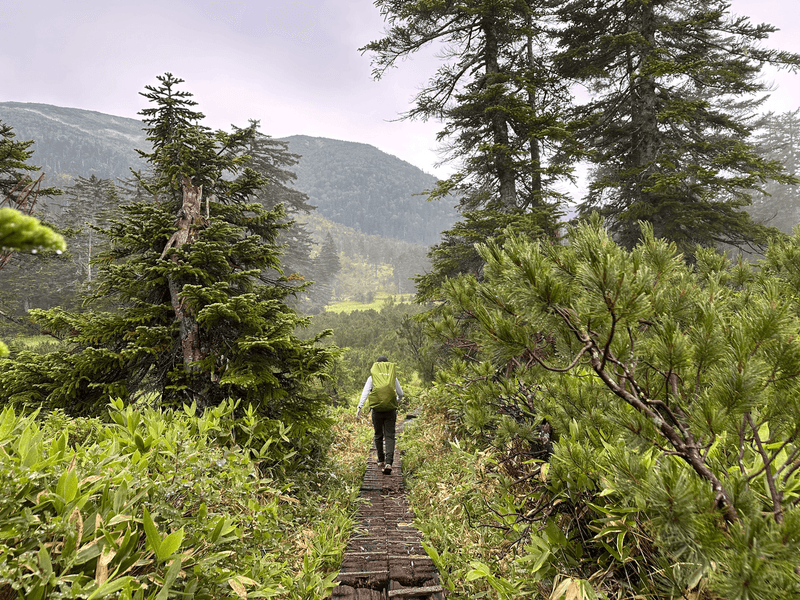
642,414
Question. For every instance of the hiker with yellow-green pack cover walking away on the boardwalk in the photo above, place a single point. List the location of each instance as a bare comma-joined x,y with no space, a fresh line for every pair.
384,393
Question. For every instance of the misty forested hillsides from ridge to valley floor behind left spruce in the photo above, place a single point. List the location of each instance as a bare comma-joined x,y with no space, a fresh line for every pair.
89,155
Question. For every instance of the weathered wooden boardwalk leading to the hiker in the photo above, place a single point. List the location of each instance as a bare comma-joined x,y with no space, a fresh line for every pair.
384,557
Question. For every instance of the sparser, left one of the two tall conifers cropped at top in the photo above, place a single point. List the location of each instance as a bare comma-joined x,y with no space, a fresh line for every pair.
503,112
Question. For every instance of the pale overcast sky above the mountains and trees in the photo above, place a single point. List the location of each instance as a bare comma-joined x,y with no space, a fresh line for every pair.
293,64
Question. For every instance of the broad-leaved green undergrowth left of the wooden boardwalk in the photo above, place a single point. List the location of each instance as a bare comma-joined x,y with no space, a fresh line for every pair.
160,504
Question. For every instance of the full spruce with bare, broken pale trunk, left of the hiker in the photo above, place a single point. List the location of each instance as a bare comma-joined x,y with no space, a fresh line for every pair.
199,318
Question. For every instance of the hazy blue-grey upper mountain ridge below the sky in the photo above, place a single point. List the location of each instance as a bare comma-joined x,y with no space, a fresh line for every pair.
354,184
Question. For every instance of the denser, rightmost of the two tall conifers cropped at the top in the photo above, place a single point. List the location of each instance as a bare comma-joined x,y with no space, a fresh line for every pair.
669,122
